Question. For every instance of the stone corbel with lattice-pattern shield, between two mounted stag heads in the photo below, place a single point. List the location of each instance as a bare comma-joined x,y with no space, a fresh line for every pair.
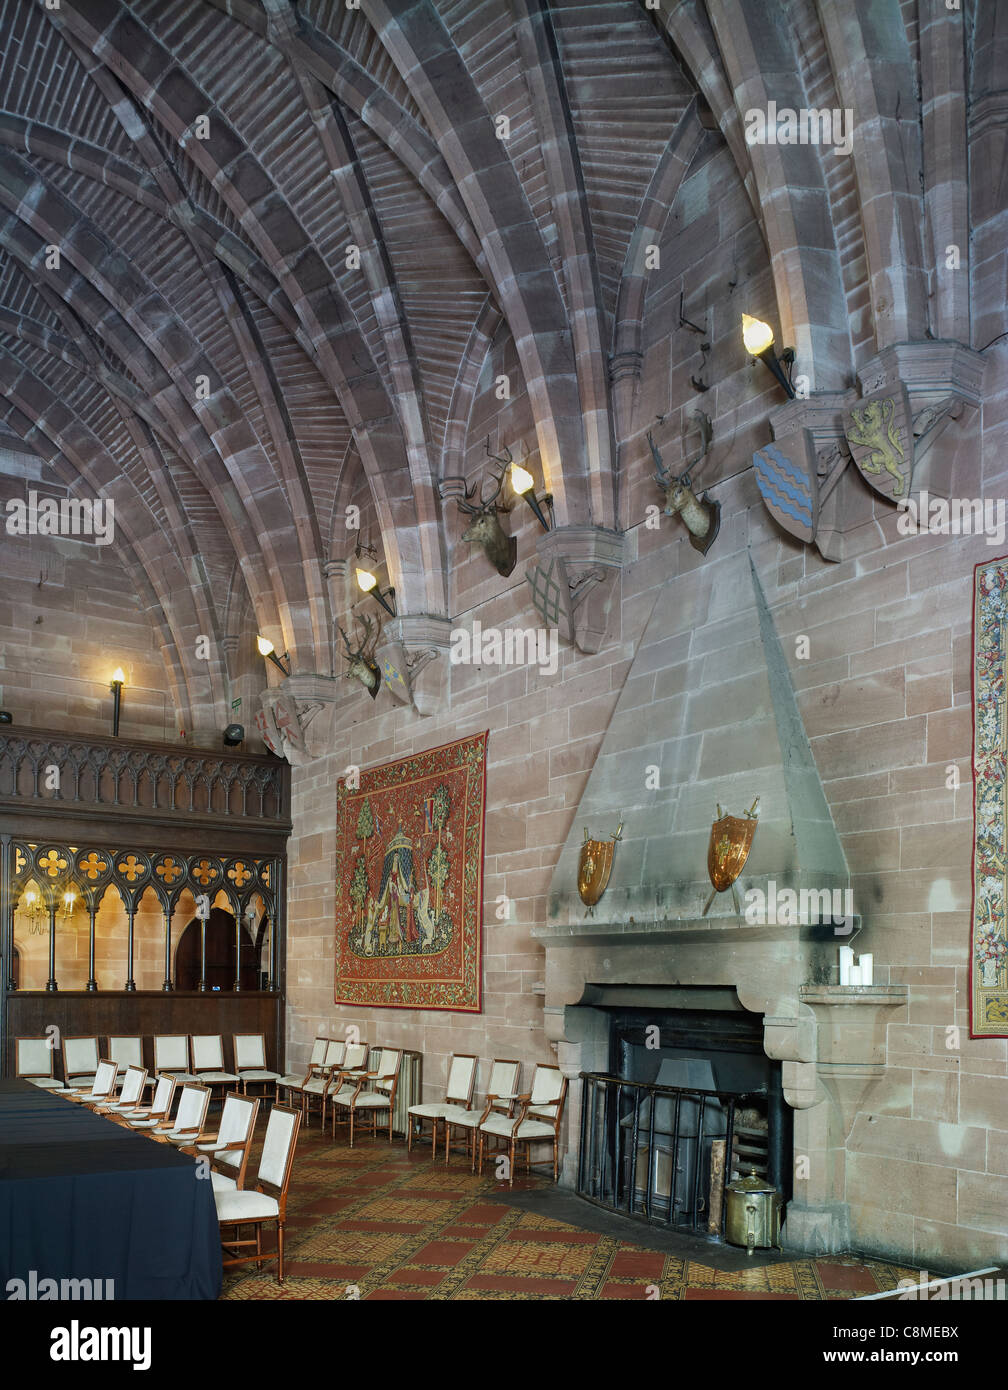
574,583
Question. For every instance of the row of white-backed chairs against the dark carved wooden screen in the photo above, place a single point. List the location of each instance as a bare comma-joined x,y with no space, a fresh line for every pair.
186,1057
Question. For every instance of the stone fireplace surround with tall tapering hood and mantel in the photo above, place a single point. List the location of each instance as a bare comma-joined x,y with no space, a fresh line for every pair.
700,726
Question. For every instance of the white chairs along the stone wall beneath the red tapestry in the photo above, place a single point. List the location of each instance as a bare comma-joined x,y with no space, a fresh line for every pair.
339,1081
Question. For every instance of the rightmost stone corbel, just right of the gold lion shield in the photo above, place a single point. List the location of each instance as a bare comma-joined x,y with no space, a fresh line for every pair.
943,382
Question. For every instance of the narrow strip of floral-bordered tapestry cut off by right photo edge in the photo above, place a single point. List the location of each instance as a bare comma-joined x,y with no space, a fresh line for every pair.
989,947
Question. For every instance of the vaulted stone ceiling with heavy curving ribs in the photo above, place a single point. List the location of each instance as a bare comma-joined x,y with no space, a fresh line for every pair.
209,352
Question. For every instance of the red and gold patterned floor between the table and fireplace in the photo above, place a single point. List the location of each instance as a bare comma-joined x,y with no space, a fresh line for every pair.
375,1223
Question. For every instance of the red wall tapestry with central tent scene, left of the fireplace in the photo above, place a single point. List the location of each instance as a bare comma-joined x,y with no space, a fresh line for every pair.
409,888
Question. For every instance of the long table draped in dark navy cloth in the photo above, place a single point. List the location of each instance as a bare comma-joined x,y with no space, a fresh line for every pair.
83,1197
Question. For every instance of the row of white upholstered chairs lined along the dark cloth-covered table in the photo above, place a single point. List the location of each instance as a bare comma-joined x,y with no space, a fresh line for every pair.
227,1149
